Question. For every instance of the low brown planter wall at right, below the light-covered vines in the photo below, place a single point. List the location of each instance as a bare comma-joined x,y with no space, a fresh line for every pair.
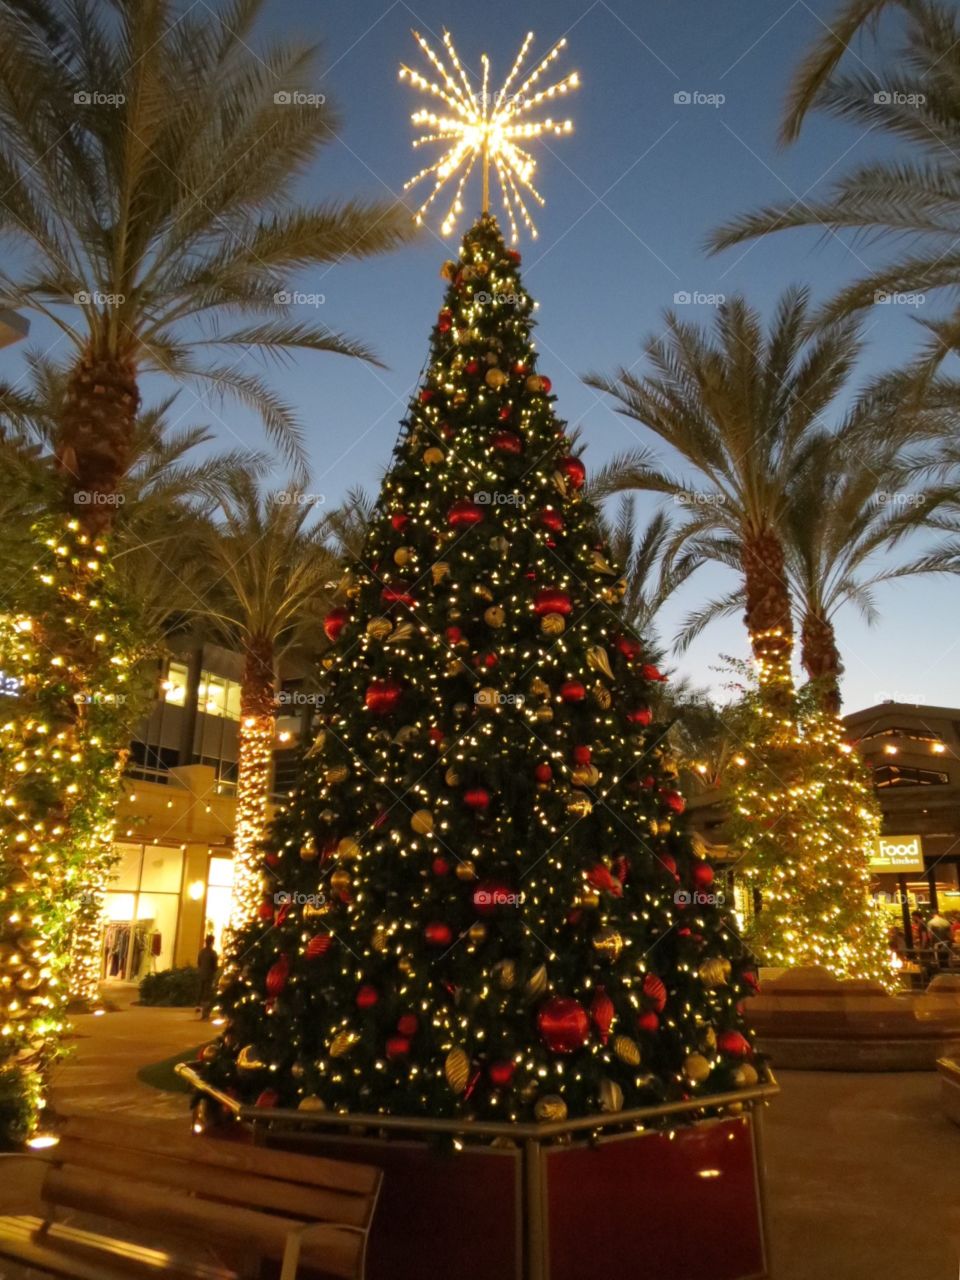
808,1021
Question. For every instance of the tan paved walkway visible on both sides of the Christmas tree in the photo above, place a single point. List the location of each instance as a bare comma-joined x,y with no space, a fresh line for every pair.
863,1169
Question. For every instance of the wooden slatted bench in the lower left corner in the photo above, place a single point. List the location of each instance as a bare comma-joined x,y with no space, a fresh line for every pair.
208,1209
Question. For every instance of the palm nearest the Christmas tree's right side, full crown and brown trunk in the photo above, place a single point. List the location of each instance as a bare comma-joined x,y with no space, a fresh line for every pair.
742,408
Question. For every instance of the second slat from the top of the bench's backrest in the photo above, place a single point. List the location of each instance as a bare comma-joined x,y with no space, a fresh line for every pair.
228,1186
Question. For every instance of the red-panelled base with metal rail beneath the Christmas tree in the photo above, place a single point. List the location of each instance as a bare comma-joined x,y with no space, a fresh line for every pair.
556,1201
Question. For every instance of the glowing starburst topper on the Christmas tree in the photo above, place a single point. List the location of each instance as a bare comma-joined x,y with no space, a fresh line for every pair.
493,127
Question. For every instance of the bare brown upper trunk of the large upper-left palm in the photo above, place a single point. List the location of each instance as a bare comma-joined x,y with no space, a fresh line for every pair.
97,429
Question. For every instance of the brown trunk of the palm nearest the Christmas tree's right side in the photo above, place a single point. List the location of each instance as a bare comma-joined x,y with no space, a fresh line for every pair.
769,616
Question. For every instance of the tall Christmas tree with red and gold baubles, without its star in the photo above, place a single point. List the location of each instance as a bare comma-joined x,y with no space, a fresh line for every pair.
482,900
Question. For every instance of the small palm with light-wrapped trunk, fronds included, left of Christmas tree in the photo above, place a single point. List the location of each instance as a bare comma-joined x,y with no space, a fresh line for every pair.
271,574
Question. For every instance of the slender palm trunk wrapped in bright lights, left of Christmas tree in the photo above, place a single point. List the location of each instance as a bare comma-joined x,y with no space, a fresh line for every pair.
255,762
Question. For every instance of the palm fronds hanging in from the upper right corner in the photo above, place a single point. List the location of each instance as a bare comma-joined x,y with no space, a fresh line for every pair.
912,202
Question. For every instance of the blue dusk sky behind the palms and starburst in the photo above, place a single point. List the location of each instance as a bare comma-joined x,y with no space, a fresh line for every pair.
630,199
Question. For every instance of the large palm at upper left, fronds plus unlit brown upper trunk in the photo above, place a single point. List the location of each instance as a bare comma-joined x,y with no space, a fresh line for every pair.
149,161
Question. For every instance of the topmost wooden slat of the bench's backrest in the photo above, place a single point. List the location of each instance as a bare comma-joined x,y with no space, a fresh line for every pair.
313,1171
